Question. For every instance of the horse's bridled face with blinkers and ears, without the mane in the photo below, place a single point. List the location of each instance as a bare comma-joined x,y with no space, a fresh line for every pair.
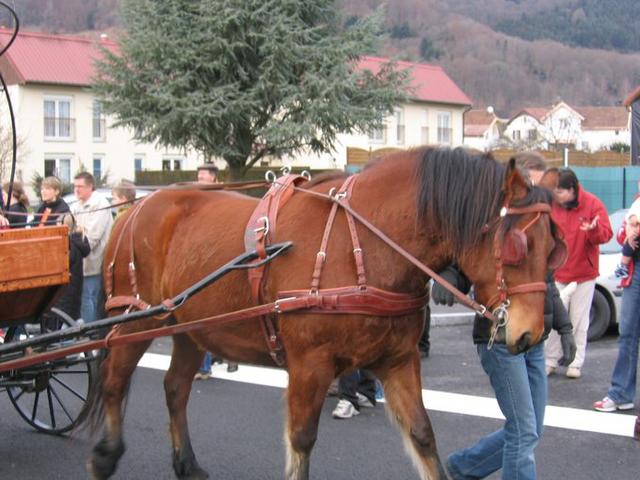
524,244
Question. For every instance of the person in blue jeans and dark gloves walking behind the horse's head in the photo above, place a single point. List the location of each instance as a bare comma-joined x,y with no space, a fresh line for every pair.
520,386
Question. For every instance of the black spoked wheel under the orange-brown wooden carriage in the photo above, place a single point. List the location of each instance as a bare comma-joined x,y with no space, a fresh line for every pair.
52,396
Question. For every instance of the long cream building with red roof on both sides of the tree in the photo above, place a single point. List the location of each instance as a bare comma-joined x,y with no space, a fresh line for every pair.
62,127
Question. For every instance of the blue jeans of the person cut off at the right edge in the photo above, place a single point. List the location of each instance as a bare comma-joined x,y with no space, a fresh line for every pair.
623,379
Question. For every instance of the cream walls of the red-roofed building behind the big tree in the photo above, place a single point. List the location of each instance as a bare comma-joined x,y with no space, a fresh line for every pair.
118,149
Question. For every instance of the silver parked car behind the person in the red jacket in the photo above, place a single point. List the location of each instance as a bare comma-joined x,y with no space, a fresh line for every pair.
605,306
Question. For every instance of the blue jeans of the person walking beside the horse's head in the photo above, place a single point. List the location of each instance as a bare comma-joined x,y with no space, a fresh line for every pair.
520,385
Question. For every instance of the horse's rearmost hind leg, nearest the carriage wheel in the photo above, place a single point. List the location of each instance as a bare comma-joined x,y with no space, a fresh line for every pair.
116,371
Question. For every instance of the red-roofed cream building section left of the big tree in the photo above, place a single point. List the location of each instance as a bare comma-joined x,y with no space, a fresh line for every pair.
59,122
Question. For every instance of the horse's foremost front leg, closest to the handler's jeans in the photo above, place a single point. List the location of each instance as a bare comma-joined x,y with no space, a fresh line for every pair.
403,394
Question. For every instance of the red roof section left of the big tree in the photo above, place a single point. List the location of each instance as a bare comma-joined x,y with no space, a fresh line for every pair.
53,59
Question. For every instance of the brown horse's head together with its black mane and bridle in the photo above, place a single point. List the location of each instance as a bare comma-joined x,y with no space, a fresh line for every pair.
501,234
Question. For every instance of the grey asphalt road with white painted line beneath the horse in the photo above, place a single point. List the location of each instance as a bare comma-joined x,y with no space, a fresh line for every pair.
236,427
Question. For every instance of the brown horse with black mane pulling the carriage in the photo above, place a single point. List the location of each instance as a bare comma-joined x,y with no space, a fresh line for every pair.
441,205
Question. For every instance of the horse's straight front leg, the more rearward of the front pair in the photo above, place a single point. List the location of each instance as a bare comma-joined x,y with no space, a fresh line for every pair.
309,380
